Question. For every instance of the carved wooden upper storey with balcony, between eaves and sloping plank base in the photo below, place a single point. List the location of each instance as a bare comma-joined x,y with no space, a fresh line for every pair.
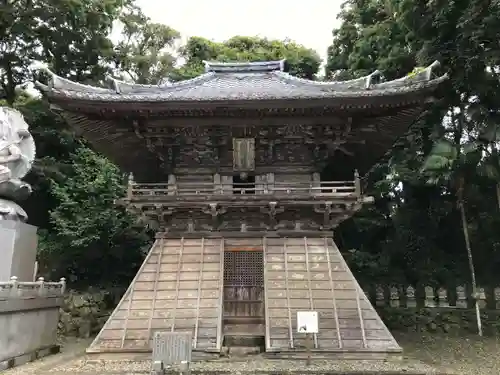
201,197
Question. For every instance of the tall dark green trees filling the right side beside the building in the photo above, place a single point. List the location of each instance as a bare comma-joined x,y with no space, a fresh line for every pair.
395,36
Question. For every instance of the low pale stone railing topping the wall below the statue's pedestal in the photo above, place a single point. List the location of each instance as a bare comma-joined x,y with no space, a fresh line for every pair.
30,289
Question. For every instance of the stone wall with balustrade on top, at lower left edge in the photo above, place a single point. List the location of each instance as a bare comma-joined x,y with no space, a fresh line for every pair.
29,315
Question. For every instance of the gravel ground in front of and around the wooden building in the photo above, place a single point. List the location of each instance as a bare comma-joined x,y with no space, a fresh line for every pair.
423,355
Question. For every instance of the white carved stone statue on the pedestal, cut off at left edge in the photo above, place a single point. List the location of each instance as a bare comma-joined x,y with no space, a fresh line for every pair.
17,153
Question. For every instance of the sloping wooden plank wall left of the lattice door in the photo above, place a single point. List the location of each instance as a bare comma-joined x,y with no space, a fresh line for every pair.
178,289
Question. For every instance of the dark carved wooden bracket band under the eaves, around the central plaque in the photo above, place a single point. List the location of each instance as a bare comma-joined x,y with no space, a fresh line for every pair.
211,145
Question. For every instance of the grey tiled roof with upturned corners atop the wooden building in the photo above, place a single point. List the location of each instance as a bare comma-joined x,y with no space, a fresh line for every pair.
242,81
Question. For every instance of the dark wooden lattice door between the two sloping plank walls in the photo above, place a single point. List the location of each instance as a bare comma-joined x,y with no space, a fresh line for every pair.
243,284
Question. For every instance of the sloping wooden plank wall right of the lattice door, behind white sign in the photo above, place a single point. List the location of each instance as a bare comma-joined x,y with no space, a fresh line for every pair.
310,274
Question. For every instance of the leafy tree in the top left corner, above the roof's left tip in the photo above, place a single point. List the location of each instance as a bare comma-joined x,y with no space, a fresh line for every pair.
70,36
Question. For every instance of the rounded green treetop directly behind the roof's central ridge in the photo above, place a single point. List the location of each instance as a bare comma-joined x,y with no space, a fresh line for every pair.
302,62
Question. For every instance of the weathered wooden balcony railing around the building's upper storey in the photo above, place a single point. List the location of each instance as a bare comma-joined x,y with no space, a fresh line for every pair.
322,188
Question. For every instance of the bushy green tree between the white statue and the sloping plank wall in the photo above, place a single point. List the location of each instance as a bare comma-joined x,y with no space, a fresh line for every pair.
88,229
